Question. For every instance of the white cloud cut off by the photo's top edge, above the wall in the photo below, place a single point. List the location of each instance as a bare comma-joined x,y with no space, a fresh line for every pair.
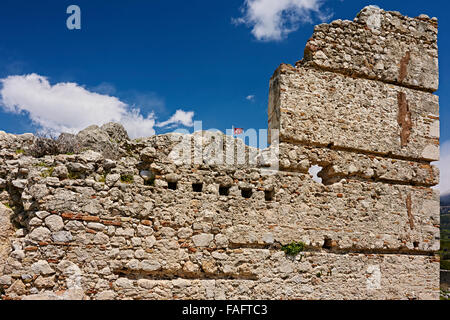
275,19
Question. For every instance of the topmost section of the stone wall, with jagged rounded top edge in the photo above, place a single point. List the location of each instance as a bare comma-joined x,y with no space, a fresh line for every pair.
380,45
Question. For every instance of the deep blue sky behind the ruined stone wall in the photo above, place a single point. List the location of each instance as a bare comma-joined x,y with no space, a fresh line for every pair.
162,56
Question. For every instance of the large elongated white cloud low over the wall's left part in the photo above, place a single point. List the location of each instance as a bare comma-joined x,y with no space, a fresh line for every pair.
69,107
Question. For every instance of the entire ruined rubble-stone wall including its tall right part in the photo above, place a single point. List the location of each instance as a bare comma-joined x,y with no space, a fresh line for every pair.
119,219
